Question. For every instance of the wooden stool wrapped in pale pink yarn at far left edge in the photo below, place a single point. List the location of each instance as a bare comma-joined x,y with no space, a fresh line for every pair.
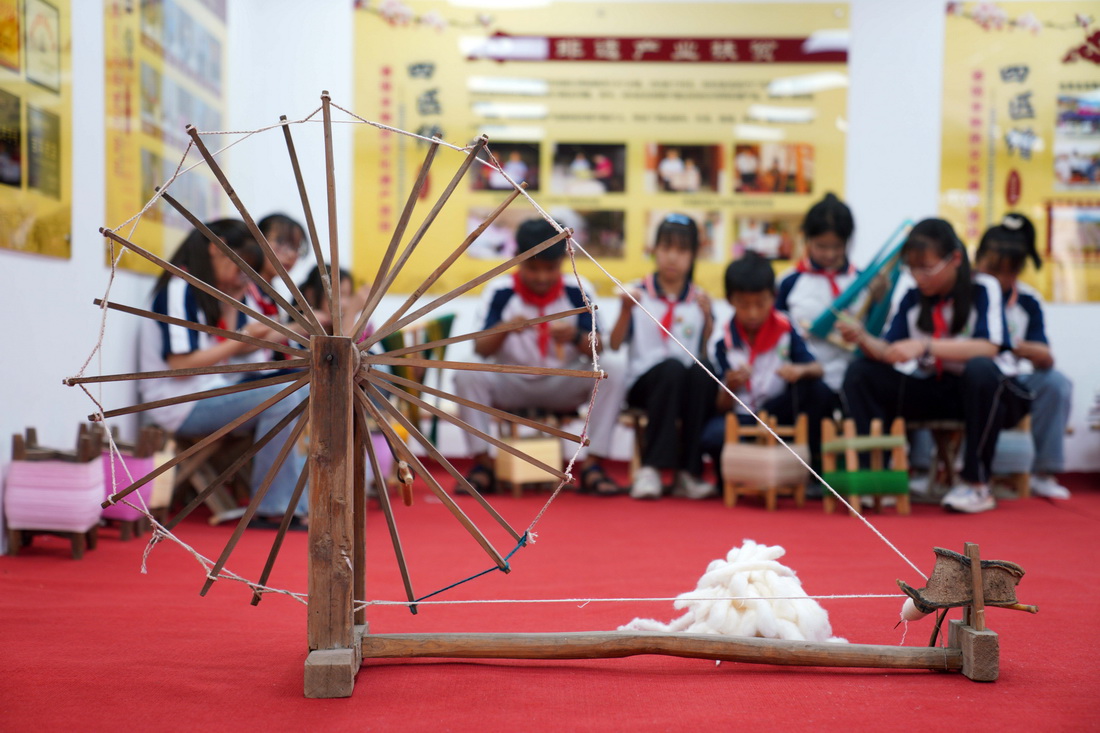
78,479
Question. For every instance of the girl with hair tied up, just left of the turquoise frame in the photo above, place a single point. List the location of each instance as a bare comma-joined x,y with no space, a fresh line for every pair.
824,272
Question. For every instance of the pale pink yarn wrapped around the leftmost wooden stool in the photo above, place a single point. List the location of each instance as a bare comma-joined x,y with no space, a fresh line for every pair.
56,496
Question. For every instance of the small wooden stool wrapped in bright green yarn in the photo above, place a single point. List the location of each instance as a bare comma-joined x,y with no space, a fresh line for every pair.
854,484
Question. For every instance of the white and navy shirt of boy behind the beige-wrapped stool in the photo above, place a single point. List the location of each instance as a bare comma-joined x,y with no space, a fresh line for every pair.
731,352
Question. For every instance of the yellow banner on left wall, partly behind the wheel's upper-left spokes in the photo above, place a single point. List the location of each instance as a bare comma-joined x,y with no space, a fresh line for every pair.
166,70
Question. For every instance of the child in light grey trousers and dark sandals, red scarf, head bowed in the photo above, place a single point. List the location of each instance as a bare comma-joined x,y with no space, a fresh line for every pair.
536,289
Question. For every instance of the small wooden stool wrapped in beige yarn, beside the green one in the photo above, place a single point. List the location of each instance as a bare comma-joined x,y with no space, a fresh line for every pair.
765,468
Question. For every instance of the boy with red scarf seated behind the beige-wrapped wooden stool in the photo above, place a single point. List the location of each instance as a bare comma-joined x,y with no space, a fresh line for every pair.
763,358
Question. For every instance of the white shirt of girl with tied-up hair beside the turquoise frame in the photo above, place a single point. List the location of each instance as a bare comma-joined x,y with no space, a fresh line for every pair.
805,297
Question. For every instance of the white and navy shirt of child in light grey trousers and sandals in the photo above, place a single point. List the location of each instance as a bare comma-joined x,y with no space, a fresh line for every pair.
501,303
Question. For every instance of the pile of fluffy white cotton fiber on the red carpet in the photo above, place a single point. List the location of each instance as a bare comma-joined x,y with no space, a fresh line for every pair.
773,606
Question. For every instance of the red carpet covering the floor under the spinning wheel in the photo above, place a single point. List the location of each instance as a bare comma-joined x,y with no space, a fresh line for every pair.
96,646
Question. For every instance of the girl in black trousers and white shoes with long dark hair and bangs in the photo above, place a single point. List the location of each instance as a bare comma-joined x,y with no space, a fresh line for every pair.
662,378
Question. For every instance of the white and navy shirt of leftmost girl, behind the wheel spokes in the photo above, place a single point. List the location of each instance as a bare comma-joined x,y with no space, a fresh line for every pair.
158,341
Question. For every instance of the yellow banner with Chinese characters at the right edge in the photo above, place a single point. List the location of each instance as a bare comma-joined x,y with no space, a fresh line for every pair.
1022,133
